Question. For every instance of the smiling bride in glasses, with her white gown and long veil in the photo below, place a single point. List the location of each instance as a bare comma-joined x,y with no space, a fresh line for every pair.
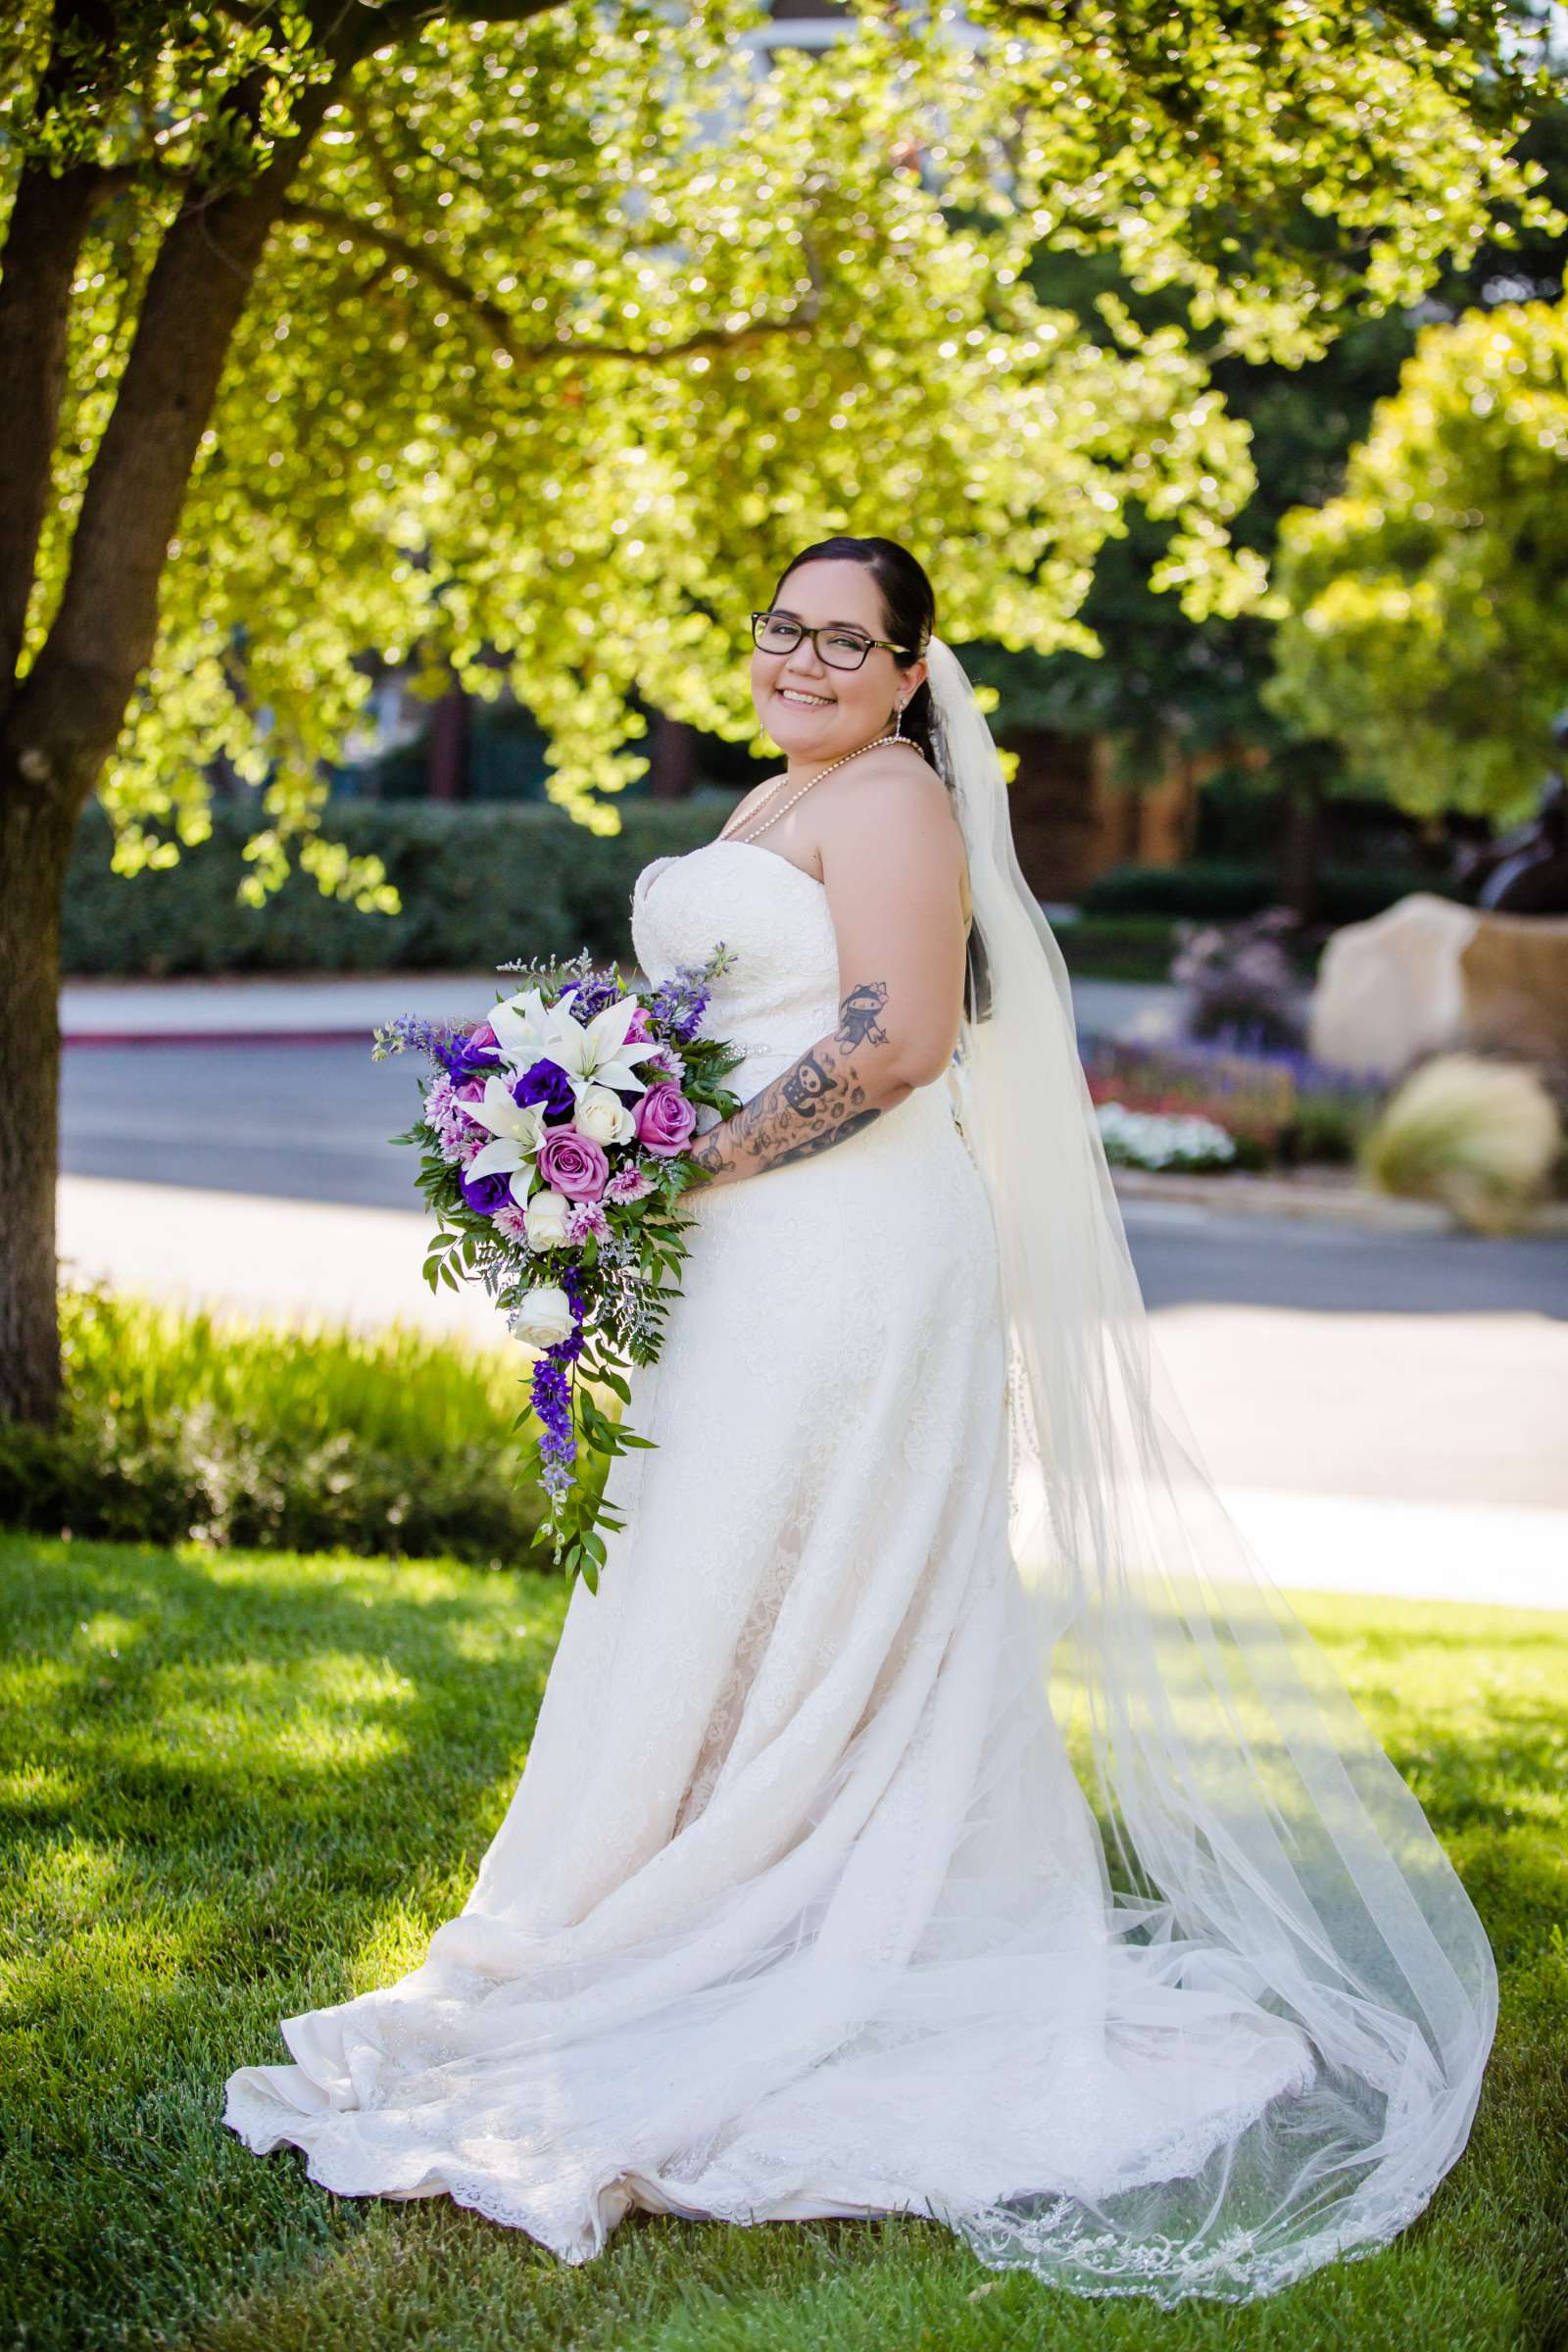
934,1810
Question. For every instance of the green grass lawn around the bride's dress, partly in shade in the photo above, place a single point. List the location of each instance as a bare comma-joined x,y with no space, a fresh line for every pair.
239,1786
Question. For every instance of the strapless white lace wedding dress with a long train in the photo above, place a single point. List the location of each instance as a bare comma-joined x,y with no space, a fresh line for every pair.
798,1906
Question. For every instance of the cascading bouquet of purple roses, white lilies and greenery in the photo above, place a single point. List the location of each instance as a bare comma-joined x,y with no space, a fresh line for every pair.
554,1154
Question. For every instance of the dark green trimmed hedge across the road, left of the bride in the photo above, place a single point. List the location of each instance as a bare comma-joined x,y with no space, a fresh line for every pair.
483,883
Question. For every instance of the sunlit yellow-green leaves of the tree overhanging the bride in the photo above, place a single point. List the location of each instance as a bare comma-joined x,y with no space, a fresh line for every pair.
575,328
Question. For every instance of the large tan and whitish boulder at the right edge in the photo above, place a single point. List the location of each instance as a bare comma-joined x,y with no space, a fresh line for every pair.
1428,977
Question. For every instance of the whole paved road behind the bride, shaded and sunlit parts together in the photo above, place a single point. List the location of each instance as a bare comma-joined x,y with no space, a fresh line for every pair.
1379,1408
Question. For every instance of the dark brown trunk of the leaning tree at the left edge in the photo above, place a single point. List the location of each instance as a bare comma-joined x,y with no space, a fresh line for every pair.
65,719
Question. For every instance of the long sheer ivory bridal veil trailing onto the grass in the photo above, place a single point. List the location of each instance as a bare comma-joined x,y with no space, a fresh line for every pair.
1259,1840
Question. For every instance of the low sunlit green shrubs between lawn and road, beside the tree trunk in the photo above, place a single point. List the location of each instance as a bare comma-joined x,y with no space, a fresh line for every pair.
180,1426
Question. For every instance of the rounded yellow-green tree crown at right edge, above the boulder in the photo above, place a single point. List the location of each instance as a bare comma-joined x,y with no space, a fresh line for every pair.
1428,606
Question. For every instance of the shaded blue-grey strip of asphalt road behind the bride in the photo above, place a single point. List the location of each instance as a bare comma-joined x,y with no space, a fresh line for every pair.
311,1123
